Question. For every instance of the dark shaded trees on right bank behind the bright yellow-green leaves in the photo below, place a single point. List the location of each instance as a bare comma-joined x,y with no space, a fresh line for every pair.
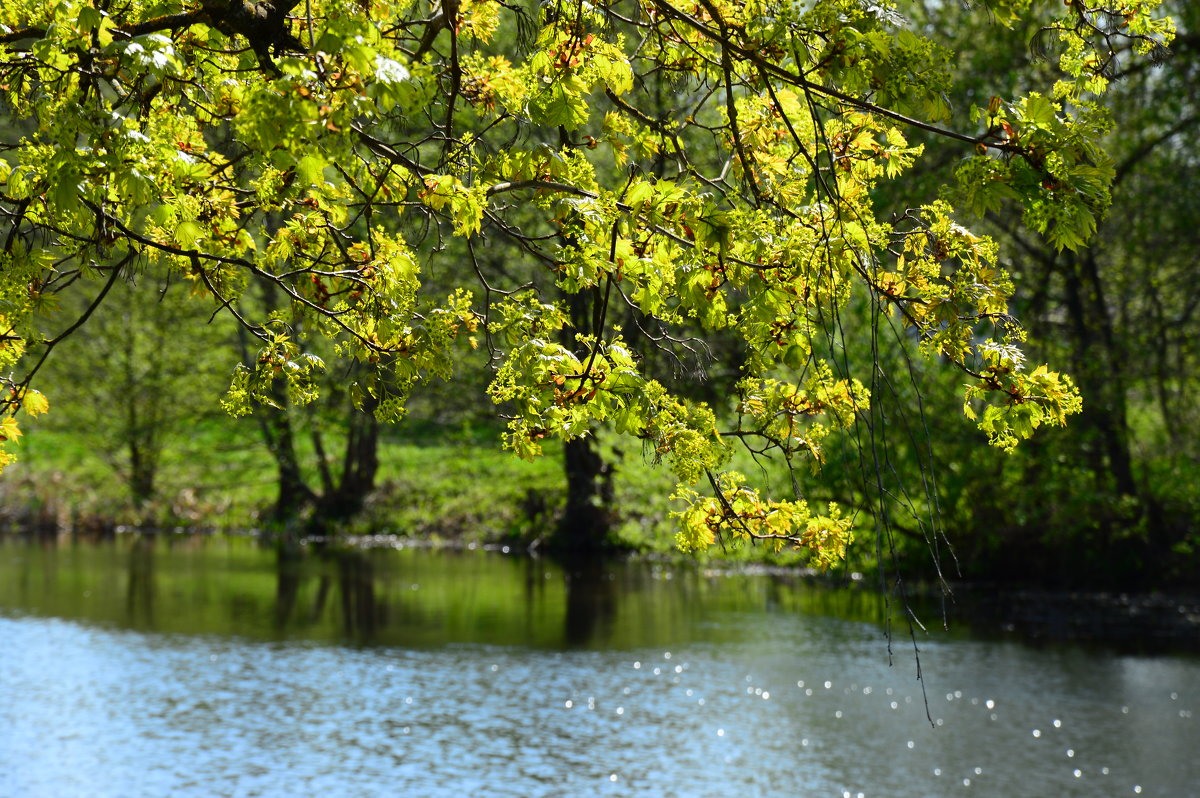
1112,500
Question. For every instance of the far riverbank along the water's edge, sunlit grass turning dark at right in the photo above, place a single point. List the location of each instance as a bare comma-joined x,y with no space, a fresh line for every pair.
458,487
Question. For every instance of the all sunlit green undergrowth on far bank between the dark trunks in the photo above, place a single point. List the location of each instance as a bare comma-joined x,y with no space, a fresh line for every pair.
435,483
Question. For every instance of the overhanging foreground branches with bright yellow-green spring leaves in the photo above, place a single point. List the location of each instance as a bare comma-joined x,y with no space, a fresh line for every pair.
687,166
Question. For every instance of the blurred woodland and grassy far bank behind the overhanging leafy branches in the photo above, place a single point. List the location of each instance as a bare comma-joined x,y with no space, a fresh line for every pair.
137,435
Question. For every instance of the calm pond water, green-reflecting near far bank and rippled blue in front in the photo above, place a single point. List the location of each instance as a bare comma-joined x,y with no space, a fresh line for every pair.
219,668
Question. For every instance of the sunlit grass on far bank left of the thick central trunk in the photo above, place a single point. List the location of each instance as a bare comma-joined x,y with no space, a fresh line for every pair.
221,477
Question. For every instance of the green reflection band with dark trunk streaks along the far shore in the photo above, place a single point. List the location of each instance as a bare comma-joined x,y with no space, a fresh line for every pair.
388,597
